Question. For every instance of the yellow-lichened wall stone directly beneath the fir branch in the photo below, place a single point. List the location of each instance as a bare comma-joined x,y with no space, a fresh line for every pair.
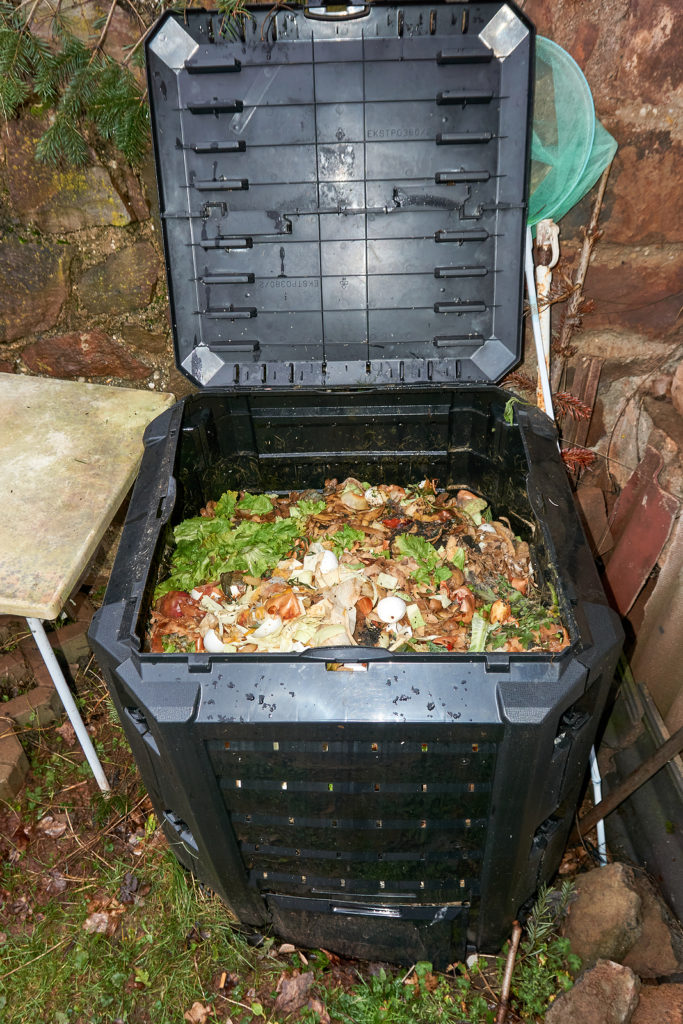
58,200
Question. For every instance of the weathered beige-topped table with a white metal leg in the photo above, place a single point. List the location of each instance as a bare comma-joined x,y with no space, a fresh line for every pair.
69,453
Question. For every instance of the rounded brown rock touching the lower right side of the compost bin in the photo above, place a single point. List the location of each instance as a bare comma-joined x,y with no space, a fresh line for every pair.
605,922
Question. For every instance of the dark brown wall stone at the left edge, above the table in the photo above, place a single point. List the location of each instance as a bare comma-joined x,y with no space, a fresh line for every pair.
34,285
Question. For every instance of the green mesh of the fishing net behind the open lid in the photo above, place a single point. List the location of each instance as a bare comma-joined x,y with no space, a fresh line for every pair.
570,148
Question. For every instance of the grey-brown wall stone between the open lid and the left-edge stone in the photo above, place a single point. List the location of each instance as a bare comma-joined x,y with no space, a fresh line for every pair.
122,283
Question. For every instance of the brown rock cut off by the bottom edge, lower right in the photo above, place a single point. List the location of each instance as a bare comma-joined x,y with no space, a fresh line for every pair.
606,995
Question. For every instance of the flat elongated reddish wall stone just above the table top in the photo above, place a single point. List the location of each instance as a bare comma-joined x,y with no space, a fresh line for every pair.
83,354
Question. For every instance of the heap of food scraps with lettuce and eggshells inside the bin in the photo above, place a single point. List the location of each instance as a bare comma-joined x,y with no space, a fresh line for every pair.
406,569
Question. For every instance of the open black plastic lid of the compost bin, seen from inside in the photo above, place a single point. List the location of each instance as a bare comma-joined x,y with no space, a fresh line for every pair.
344,192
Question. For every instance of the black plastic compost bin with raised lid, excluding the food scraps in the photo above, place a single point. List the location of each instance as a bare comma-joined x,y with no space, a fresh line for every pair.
344,203
